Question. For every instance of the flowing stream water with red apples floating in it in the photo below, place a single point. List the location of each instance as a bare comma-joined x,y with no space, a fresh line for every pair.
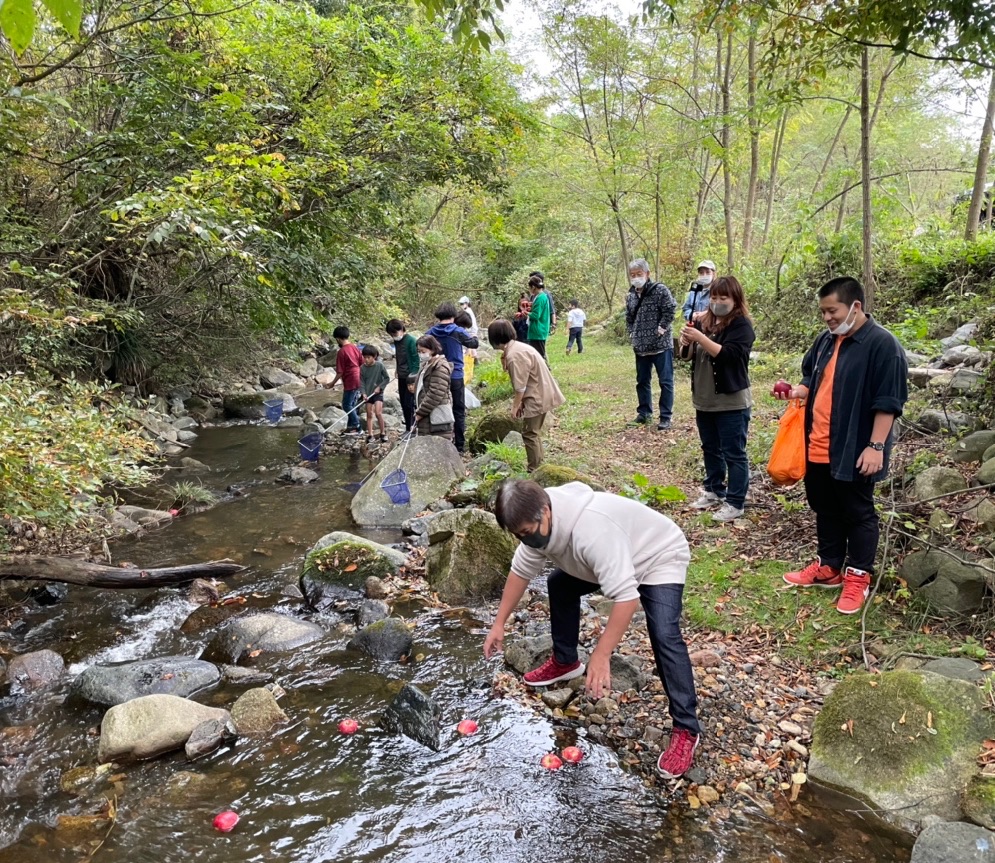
306,793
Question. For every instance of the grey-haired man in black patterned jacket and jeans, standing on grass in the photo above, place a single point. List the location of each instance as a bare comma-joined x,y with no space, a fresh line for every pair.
649,313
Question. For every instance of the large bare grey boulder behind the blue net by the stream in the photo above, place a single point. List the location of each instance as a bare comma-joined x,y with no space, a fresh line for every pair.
431,463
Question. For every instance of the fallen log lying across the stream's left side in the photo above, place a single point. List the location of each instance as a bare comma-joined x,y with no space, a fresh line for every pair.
73,571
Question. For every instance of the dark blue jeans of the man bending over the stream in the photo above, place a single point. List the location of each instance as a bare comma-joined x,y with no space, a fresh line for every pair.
662,604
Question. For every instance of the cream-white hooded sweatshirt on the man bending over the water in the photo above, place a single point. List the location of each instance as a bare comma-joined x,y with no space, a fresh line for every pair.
612,541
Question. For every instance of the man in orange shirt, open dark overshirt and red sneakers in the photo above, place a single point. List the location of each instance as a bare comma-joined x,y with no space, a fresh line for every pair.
854,379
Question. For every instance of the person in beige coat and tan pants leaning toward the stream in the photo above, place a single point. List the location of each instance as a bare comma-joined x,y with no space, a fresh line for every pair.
536,393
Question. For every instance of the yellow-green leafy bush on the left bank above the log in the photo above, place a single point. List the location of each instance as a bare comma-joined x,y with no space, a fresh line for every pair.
63,448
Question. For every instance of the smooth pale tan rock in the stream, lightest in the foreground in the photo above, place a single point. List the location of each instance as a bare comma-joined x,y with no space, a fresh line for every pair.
151,725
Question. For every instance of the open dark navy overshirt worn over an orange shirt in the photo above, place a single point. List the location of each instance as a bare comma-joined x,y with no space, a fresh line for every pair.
871,377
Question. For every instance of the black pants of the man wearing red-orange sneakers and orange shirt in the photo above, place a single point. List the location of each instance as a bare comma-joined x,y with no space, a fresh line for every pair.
845,519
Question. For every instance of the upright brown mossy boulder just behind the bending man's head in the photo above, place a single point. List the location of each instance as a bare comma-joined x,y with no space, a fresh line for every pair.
469,556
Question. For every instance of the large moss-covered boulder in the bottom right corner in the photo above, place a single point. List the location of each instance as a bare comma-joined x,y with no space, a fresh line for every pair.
903,770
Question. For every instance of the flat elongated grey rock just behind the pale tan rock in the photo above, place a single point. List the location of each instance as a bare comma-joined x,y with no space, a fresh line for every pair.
108,685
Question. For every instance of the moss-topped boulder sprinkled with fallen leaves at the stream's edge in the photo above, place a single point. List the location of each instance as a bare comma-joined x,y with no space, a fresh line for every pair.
338,565
